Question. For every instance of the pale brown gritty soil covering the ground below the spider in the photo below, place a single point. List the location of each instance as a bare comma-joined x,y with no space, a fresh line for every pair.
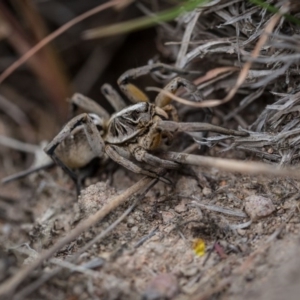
152,254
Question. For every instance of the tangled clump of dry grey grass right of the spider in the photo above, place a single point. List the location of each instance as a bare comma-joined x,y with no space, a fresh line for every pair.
228,38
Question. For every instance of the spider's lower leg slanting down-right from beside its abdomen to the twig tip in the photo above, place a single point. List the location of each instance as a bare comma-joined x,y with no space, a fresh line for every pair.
120,156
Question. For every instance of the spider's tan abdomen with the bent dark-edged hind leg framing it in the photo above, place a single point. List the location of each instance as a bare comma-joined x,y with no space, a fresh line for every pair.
76,145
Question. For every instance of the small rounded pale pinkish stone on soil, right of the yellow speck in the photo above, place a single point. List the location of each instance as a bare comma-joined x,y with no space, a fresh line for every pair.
258,206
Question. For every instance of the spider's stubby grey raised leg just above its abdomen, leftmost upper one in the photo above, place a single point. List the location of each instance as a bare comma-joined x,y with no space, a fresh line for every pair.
89,105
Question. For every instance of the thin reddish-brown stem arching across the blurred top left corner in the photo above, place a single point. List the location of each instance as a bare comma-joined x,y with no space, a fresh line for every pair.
54,35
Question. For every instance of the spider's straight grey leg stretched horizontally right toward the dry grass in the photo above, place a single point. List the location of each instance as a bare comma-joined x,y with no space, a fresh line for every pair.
195,127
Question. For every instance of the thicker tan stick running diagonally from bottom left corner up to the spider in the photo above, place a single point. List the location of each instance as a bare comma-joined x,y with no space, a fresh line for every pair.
8,286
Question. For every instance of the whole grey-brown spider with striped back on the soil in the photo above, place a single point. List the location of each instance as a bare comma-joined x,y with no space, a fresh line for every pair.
131,135
